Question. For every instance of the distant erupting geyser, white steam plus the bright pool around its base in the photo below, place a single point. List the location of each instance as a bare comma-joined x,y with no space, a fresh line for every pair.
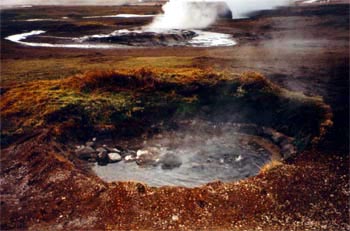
178,26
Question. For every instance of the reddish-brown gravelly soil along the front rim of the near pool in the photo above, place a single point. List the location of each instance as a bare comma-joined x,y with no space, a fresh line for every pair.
51,192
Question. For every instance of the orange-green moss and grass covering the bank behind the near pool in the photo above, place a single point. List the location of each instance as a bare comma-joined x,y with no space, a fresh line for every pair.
107,97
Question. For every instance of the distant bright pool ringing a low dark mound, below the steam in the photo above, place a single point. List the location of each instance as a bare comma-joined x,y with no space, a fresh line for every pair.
126,39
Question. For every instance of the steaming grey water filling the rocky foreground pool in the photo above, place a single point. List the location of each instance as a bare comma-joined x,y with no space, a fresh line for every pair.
196,153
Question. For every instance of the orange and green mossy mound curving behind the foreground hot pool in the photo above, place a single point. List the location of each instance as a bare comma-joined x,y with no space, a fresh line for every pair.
126,102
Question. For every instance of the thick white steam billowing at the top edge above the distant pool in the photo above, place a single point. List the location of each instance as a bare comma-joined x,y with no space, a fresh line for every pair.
193,14
